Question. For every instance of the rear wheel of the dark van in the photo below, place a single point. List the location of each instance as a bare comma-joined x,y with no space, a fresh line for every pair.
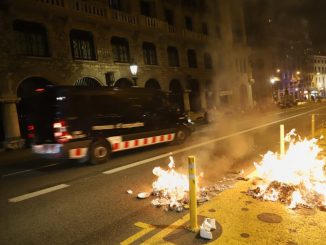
100,152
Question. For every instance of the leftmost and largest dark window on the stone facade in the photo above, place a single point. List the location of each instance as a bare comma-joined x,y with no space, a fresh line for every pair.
31,39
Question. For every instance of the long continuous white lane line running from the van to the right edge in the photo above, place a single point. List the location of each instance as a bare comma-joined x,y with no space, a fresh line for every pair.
135,164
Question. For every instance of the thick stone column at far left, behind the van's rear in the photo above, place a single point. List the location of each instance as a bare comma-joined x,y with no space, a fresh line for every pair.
11,125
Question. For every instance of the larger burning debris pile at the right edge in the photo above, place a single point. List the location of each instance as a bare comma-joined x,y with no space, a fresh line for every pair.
297,179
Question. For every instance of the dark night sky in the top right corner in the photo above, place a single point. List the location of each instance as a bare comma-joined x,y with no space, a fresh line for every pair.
288,16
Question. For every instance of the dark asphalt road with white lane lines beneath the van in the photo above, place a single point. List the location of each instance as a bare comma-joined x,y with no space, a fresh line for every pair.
55,202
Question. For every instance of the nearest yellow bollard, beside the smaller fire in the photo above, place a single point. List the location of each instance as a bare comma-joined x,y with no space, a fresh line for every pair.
192,194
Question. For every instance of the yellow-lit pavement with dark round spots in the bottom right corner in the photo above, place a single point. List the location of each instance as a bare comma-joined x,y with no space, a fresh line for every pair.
241,219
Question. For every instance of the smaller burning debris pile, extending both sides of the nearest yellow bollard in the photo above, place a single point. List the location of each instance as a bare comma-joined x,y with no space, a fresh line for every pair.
171,189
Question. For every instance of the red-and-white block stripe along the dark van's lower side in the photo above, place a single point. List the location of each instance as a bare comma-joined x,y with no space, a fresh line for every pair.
117,144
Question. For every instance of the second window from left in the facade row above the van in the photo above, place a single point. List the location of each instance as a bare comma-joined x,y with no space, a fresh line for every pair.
82,45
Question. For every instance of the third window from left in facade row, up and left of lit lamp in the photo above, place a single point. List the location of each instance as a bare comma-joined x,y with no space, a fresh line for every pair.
120,49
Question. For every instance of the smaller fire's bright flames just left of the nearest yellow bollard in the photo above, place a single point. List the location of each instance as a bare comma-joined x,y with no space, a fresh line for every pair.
171,186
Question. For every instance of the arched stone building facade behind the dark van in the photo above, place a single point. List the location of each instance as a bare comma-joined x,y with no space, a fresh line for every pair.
194,49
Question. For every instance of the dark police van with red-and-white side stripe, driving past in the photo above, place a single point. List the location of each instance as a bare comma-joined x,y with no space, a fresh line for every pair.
89,124
